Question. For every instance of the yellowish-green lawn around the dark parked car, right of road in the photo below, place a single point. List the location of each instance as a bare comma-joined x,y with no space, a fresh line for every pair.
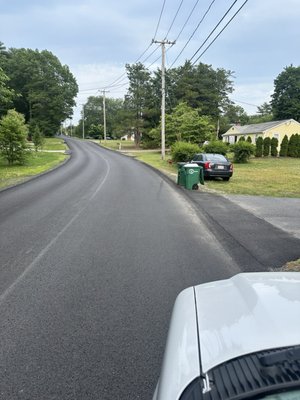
276,177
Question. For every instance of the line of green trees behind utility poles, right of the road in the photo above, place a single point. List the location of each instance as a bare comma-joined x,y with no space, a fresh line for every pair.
198,107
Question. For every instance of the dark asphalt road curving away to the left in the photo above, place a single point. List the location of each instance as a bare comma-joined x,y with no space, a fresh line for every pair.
93,255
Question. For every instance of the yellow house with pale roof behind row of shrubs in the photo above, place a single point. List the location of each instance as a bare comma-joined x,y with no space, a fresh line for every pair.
277,129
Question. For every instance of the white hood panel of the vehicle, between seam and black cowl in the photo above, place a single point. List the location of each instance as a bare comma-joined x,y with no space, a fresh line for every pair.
247,313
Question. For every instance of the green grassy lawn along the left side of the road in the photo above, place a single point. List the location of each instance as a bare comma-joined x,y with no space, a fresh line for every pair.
35,164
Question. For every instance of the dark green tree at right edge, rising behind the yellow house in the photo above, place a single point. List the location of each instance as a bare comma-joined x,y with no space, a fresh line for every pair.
286,97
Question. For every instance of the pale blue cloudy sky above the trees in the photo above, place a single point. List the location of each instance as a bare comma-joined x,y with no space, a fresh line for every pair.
96,39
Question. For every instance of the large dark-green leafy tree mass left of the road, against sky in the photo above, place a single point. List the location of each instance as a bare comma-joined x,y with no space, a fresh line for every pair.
45,88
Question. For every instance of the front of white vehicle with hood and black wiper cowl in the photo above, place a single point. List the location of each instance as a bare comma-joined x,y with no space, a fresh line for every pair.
235,339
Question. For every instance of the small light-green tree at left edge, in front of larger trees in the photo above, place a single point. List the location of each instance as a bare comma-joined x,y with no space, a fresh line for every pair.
13,133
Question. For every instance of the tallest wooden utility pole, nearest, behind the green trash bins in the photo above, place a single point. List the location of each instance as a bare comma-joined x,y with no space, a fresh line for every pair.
163,93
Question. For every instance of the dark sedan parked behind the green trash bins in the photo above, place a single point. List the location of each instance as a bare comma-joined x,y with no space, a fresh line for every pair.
214,165
